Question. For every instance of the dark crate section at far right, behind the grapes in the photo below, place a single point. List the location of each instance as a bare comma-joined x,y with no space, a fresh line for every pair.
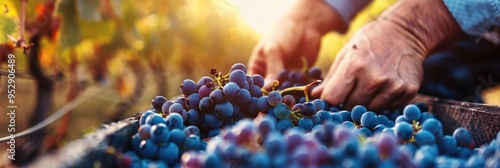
481,119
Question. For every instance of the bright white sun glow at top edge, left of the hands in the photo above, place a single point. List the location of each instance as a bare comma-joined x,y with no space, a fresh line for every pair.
262,14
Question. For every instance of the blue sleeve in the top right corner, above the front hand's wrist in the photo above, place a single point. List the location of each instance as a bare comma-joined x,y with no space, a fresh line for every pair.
475,17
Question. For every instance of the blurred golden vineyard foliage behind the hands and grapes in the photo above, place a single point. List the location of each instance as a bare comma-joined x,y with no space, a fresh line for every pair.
136,50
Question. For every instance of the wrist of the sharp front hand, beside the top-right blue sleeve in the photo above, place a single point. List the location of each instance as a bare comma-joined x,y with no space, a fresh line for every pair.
428,22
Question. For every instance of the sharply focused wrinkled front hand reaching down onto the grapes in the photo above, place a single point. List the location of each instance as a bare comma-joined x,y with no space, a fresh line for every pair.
381,66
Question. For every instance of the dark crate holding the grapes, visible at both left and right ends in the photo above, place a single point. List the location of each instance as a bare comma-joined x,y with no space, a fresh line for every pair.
90,151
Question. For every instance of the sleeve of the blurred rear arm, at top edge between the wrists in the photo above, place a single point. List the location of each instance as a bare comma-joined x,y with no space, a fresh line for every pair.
348,8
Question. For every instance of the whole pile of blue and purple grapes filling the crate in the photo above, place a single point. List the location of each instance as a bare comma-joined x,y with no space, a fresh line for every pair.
231,121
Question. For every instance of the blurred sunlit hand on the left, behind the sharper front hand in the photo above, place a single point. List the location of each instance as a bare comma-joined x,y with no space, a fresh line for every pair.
297,34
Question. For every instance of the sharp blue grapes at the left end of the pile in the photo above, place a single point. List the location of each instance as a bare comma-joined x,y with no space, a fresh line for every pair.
162,140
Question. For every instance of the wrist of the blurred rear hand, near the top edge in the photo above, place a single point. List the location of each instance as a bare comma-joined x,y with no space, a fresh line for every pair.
318,16
